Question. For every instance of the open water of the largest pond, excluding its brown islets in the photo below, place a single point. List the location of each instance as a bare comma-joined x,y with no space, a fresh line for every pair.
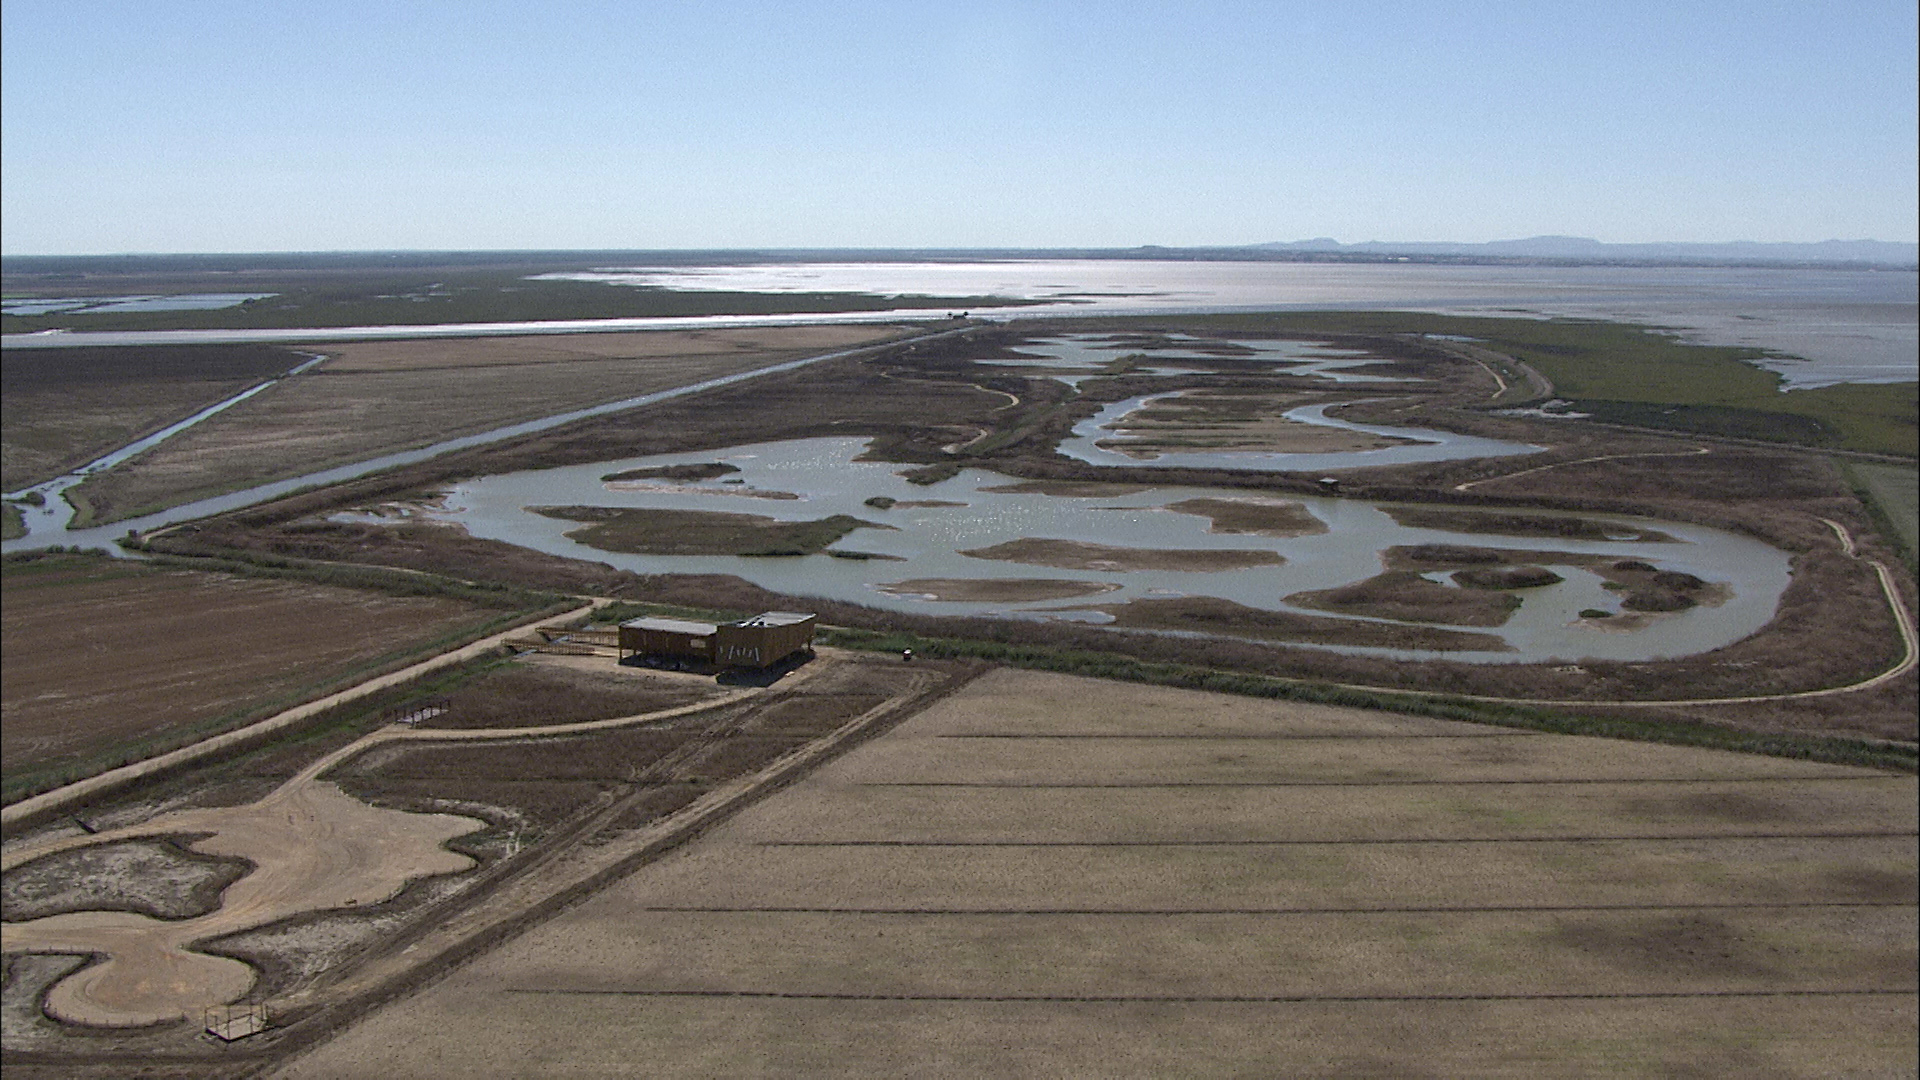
926,541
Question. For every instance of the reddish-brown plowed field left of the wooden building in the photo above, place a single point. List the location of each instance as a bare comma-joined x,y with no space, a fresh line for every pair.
105,652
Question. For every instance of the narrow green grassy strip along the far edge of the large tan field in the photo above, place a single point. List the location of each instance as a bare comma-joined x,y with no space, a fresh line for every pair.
1529,718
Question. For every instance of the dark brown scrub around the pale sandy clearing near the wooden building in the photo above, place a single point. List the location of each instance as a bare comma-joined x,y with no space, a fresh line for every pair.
546,800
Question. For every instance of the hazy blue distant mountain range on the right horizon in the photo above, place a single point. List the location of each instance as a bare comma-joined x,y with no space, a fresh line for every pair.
1585,249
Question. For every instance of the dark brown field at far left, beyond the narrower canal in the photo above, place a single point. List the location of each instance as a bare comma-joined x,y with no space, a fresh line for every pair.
66,408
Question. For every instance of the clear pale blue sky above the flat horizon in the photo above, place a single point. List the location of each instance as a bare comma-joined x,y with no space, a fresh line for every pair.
343,126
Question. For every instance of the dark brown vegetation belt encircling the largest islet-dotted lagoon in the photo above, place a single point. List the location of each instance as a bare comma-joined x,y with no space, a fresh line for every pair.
1833,624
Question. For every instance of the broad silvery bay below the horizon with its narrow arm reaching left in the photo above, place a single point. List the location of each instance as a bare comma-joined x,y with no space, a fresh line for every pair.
1840,326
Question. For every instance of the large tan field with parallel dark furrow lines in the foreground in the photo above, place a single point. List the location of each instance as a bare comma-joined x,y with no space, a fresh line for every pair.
1047,877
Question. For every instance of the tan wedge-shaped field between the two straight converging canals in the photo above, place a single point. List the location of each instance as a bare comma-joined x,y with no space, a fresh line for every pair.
381,397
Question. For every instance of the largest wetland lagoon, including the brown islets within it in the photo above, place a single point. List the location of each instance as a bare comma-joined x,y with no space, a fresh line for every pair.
915,549
